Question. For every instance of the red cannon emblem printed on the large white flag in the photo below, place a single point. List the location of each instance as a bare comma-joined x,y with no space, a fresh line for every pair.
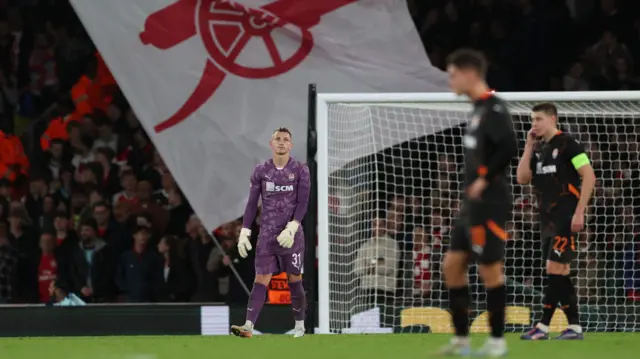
226,28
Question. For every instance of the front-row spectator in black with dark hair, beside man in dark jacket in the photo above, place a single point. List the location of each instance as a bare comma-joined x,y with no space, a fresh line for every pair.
178,277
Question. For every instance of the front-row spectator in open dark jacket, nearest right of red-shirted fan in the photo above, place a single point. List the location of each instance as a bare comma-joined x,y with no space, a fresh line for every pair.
92,266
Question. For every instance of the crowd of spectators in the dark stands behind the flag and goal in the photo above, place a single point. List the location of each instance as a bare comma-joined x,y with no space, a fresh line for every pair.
85,199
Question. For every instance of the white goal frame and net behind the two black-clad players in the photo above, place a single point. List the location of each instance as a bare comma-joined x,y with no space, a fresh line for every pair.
389,185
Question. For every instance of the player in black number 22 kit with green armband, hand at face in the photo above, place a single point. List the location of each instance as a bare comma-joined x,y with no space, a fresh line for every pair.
554,162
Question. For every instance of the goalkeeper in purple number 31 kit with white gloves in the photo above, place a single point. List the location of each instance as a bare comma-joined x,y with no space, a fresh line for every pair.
283,184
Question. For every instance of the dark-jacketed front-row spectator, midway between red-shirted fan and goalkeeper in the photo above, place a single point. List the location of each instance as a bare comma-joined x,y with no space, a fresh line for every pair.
140,270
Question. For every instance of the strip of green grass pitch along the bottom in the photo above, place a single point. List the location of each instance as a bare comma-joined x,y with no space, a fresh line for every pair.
390,346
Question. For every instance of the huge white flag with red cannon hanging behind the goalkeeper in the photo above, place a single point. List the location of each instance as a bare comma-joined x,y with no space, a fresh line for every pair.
211,79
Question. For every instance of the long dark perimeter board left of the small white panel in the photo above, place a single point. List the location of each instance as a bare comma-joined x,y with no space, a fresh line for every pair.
100,320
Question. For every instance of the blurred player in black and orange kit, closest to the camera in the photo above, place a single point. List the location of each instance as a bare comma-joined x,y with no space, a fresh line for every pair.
479,233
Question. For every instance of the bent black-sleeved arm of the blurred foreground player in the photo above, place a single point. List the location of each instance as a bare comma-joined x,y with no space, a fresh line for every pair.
498,127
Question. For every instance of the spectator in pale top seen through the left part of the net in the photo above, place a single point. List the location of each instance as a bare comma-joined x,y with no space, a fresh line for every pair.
376,263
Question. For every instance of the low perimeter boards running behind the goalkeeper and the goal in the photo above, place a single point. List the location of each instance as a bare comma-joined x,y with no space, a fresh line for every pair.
193,319
